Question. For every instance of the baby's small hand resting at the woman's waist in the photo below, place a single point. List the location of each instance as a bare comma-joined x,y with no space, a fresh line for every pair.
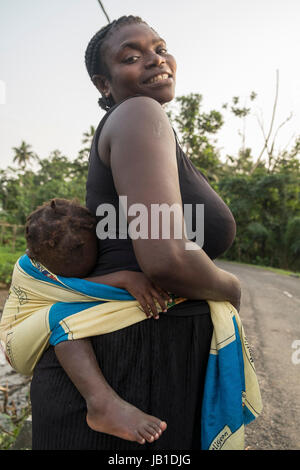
145,292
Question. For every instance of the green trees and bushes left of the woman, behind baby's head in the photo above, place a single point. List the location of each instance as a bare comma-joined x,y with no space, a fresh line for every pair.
22,189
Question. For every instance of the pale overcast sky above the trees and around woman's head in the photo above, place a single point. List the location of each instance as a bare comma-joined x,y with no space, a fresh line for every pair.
223,48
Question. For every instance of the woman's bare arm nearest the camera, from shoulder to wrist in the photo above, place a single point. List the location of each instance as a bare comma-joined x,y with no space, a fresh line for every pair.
144,167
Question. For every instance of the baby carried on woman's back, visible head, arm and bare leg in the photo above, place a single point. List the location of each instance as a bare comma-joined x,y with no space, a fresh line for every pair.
61,235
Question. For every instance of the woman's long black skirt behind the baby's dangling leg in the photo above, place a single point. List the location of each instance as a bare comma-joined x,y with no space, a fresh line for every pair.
157,365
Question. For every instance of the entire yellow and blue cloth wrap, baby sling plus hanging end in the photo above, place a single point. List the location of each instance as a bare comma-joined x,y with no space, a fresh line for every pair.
45,309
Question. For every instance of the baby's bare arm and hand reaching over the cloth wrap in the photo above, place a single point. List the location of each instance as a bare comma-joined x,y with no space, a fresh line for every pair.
139,286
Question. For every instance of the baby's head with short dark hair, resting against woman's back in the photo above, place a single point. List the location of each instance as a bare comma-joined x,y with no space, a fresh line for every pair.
61,235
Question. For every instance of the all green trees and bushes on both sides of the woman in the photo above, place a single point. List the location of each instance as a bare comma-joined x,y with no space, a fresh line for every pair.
263,192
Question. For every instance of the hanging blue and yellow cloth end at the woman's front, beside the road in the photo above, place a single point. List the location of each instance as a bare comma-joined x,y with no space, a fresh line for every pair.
231,394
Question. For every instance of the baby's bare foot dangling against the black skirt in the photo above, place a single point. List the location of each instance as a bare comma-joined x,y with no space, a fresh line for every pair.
117,417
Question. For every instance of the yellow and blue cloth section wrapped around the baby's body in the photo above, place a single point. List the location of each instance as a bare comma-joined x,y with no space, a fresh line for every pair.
44,309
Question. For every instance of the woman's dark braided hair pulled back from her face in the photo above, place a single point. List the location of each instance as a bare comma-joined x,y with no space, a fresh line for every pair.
94,57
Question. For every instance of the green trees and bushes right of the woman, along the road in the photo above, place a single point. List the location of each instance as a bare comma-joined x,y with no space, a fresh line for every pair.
263,193
